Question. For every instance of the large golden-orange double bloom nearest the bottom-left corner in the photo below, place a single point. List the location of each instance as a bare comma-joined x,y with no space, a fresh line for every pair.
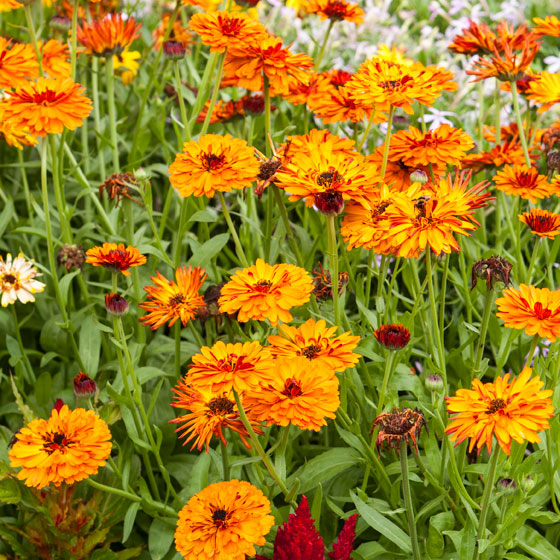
70,446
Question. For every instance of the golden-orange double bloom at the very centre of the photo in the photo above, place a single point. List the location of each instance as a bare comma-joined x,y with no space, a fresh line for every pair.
263,291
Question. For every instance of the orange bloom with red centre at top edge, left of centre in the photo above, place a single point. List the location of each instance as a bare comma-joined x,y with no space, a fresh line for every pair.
222,30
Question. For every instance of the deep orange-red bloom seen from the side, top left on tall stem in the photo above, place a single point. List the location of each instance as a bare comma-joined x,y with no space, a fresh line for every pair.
109,35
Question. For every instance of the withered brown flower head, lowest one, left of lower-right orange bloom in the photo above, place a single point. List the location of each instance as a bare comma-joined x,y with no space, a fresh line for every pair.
397,426
